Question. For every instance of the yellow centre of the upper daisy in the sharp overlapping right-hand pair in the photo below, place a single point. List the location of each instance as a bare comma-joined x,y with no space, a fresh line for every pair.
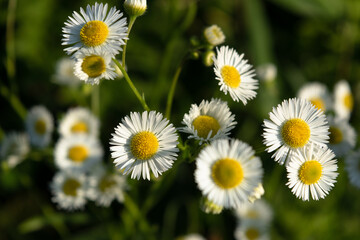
295,132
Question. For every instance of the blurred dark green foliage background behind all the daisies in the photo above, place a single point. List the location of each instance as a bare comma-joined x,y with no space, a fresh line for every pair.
308,40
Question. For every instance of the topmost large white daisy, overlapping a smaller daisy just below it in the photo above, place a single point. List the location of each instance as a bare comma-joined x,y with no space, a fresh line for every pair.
96,28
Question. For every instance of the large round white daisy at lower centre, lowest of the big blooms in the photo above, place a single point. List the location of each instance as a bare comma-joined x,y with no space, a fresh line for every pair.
228,172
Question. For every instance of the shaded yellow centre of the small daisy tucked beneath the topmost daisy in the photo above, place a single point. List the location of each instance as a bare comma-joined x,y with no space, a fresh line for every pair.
93,66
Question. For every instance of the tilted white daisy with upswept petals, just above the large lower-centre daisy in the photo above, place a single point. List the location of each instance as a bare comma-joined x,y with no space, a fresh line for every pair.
209,121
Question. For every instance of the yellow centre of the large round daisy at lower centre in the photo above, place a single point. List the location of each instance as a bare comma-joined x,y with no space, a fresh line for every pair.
227,173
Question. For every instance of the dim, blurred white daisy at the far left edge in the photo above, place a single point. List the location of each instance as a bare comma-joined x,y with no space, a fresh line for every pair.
14,148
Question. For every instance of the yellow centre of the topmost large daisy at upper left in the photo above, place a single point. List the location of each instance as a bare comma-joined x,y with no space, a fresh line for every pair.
94,33
